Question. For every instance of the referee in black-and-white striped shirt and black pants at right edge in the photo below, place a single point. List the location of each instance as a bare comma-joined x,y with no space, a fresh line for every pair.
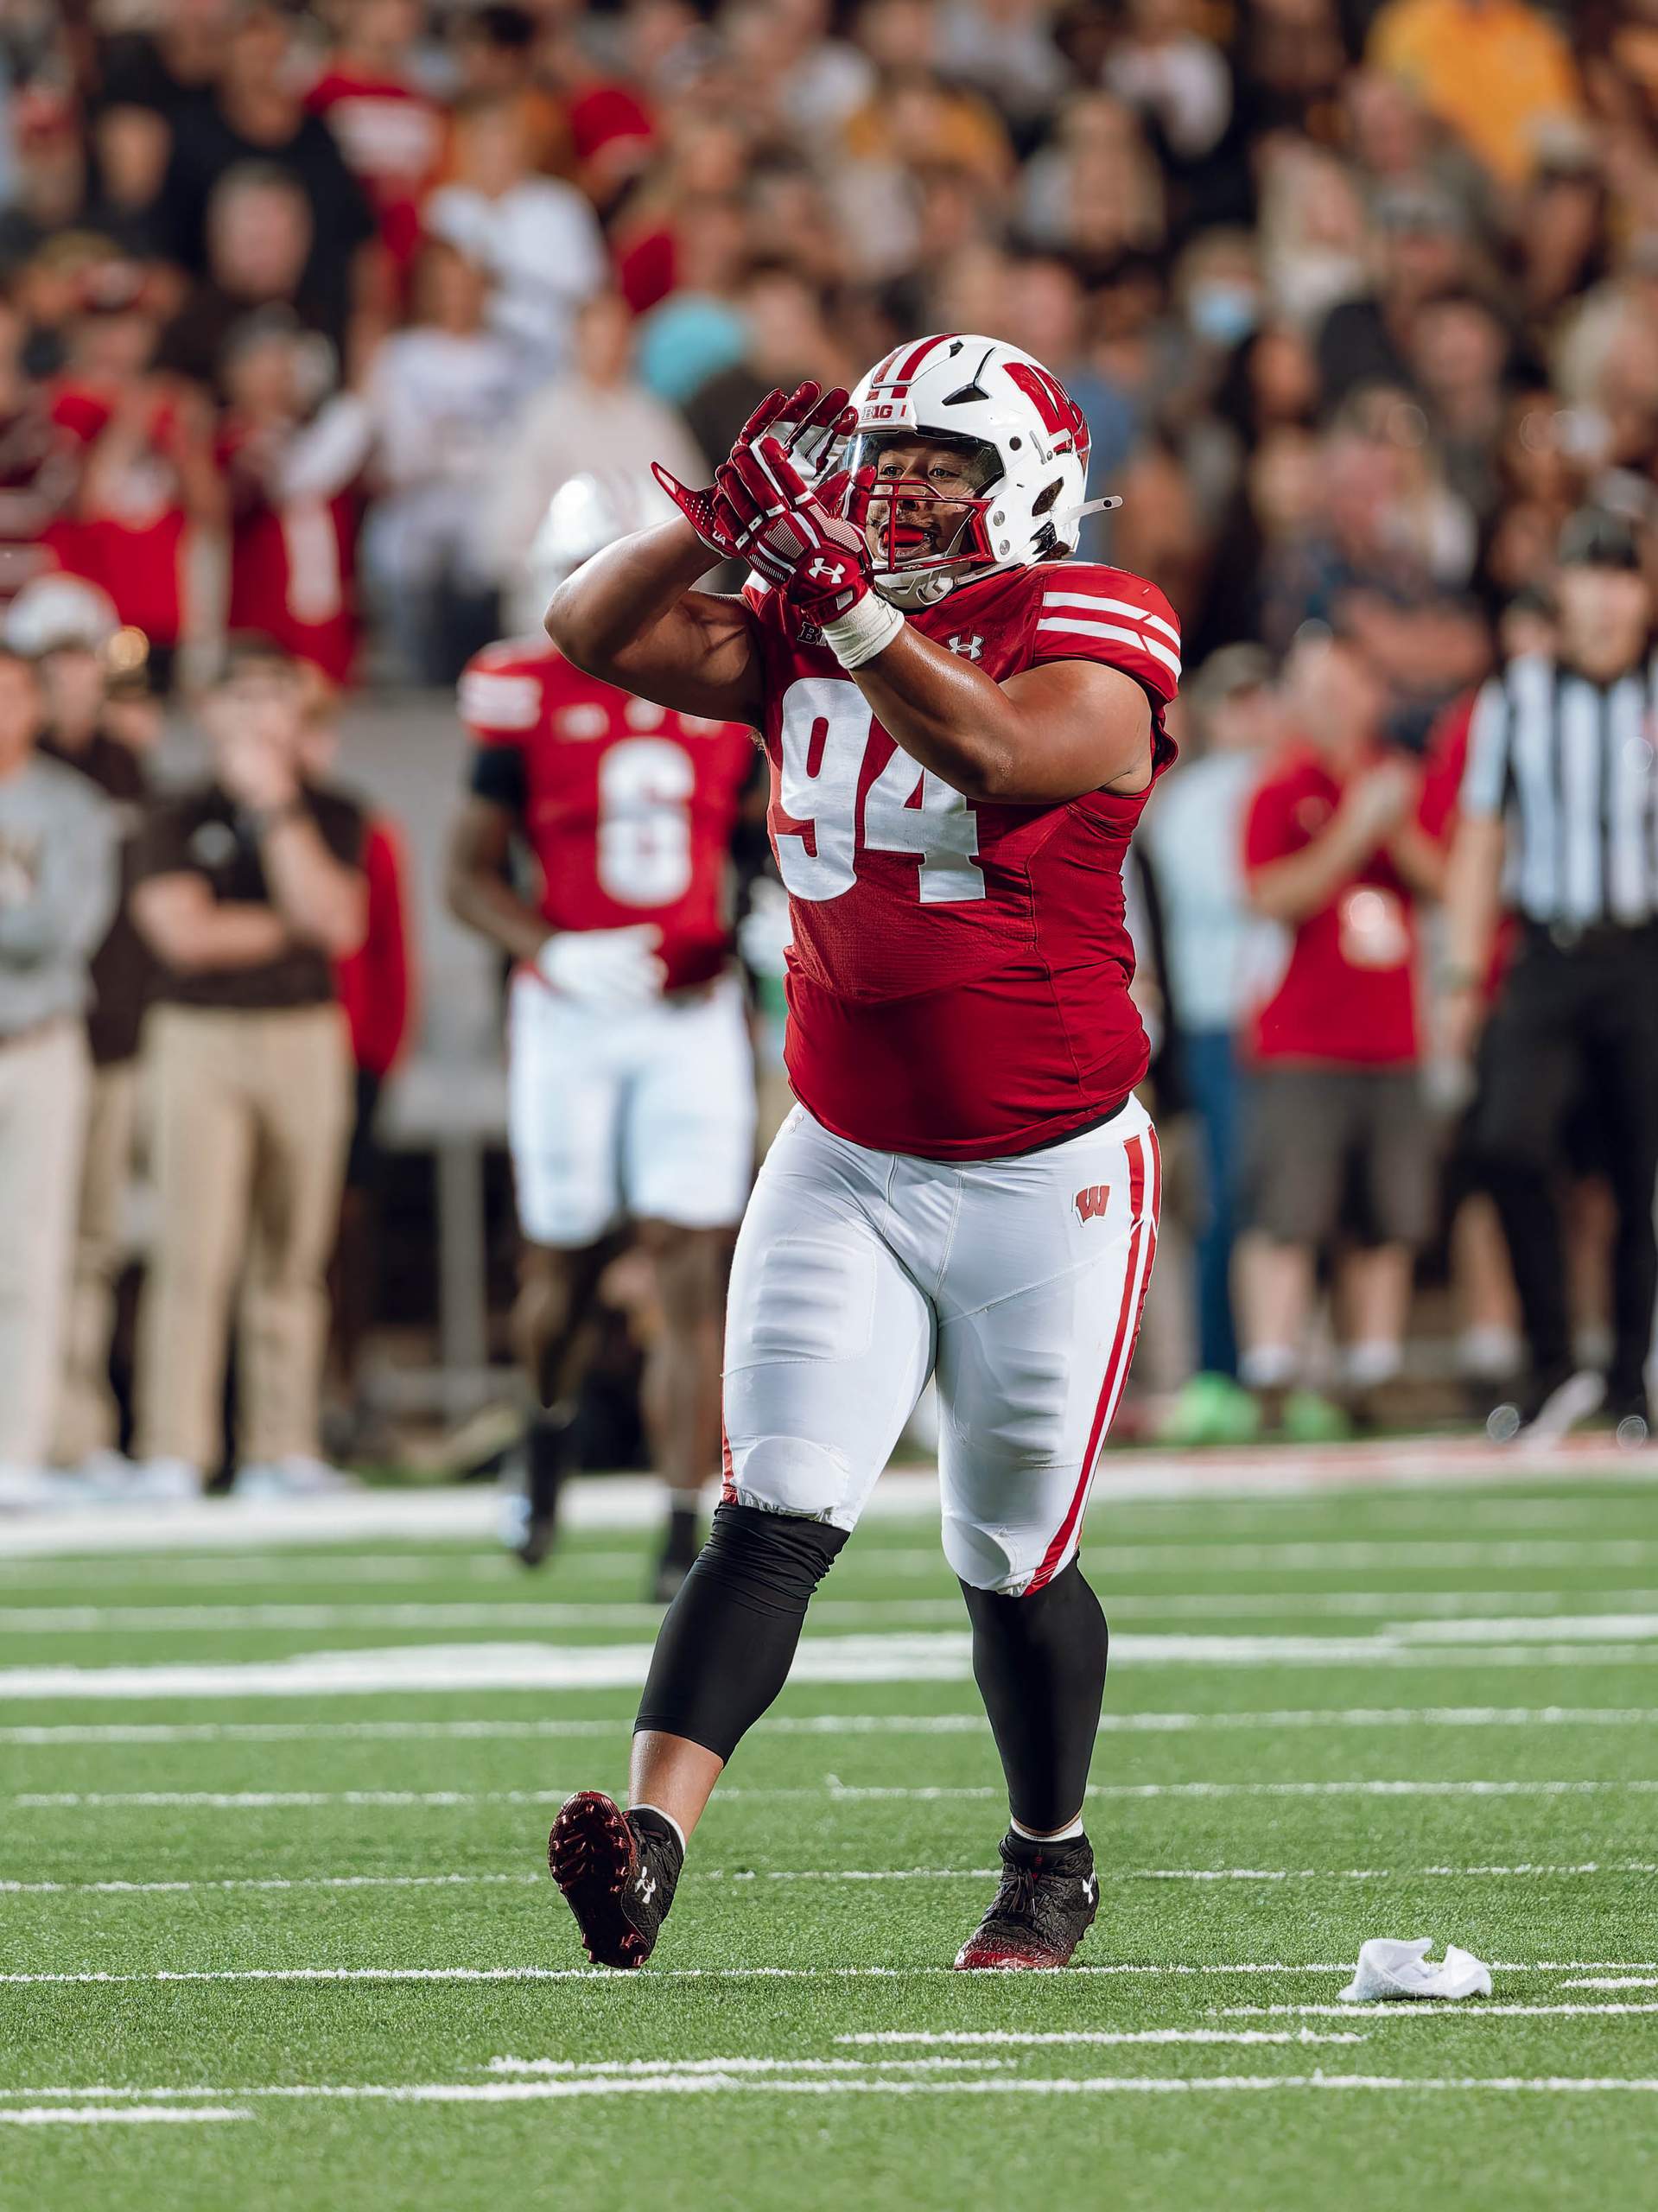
1560,826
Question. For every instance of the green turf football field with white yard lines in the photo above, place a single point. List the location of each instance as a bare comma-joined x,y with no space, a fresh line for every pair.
277,1926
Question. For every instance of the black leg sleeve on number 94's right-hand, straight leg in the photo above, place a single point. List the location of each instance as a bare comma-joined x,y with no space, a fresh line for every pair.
1040,1665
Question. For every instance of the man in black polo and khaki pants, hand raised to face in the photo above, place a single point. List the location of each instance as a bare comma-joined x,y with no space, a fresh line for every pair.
249,888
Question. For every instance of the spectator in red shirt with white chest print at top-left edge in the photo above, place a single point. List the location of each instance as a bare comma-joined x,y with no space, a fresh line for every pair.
390,132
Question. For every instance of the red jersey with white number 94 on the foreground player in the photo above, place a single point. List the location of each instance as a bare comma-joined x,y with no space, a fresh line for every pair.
958,983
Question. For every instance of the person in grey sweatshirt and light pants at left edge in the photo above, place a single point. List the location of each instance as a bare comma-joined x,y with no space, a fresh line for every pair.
56,899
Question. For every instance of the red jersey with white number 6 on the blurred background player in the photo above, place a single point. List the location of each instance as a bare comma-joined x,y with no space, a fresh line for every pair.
629,808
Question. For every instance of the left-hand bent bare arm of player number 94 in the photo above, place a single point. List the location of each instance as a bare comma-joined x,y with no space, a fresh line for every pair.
633,618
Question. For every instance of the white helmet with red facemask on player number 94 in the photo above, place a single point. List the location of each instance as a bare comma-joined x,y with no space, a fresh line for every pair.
1025,450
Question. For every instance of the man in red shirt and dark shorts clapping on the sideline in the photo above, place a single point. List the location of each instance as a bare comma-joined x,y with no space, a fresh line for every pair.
1339,851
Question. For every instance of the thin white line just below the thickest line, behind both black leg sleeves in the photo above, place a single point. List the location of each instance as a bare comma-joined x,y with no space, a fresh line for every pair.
826,1724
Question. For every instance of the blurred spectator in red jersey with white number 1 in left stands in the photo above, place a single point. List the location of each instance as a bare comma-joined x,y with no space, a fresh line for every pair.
295,477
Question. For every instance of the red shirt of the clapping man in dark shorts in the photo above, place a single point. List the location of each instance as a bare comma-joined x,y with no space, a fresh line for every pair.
1350,990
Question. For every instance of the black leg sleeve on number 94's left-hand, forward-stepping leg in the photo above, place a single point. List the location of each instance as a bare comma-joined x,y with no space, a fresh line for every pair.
728,1642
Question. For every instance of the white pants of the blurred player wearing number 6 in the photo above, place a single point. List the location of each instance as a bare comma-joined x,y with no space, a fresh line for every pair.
642,1114
